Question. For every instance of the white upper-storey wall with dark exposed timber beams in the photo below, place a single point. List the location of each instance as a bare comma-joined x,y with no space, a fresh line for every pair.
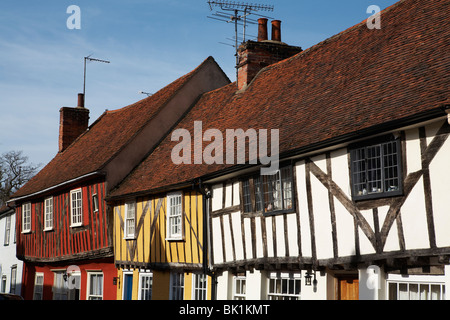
326,218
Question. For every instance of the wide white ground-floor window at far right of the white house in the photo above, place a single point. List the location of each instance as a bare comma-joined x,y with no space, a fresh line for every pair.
427,288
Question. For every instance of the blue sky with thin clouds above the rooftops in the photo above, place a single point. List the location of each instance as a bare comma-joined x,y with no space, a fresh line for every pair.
150,43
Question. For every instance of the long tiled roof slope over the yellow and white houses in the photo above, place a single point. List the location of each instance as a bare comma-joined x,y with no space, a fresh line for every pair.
356,80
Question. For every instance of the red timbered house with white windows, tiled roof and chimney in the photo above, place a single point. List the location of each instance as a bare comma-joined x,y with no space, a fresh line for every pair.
64,225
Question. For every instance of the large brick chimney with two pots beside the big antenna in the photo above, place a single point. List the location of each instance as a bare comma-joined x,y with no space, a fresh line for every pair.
255,55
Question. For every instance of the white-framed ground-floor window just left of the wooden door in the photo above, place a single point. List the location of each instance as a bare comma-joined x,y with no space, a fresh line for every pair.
284,286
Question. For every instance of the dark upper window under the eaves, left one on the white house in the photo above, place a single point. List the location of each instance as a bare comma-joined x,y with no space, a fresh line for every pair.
271,193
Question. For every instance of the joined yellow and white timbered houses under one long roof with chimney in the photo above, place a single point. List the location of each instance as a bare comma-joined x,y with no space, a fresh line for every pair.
357,207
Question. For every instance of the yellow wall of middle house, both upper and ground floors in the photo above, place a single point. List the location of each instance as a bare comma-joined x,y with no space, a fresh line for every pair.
150,244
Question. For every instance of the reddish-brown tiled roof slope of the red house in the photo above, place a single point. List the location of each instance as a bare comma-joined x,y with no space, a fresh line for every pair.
103,140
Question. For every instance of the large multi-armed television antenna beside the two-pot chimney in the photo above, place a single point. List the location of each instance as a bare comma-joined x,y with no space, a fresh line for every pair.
240,16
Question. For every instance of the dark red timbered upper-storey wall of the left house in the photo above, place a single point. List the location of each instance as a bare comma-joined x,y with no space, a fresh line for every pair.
65,240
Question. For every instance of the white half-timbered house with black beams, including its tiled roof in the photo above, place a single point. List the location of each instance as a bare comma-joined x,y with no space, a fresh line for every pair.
358,206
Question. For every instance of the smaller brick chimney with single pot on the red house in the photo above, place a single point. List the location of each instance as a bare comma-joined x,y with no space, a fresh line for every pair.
73,122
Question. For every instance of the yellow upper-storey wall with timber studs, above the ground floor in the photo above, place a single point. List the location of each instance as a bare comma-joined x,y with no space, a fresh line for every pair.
151,222
